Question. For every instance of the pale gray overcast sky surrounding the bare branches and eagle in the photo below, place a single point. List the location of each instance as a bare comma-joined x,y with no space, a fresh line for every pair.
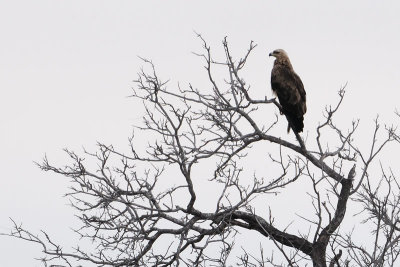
66,69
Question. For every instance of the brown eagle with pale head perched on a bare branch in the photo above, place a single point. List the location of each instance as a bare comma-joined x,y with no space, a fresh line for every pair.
289,88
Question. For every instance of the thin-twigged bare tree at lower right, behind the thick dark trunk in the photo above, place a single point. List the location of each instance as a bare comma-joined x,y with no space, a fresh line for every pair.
380,199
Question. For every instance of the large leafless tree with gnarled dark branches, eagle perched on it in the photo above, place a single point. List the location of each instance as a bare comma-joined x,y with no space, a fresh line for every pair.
146,207
